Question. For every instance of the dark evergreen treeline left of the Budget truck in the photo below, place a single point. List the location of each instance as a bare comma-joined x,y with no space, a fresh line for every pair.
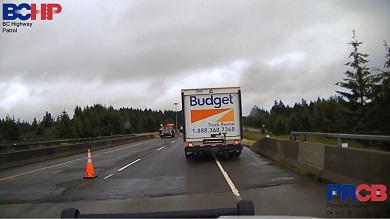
91,121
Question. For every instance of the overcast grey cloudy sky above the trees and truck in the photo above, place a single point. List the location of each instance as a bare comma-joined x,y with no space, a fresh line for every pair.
141,53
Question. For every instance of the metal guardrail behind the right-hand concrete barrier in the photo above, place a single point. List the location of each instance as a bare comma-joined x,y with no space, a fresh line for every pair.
339,136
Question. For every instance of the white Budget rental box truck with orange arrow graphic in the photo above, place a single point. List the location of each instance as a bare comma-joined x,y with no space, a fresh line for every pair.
212,121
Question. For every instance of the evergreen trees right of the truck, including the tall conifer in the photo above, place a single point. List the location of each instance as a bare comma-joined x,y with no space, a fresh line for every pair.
362,107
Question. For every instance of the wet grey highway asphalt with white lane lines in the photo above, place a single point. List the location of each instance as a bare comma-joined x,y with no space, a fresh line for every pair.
154,175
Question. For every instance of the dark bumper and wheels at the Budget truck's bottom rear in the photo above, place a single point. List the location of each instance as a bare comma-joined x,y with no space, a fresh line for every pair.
214,149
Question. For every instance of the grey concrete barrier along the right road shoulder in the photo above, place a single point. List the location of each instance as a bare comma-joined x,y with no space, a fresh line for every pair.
331,163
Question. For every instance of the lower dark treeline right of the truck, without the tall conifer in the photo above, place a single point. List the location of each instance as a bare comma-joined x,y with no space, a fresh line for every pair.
323,115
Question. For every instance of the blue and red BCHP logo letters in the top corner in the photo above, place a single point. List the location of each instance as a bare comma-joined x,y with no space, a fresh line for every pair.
12,11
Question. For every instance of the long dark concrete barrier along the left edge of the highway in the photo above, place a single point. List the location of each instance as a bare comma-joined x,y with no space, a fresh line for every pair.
8,160
